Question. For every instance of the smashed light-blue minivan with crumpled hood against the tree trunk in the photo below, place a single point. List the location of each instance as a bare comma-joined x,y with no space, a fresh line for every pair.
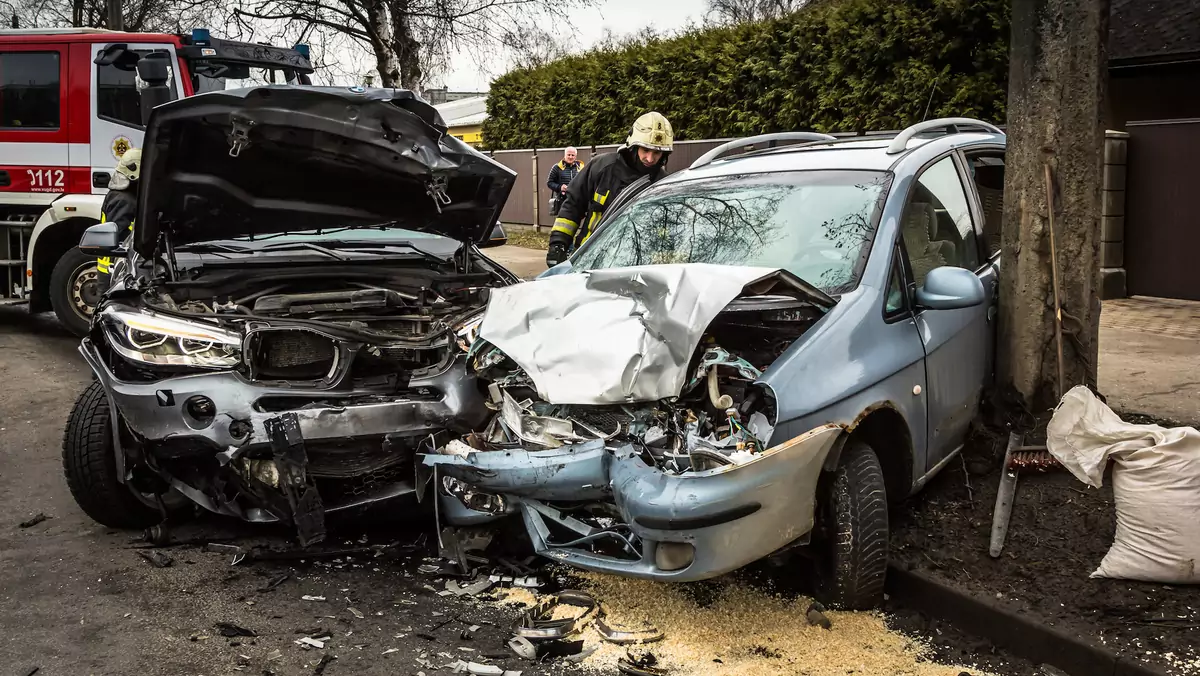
748,360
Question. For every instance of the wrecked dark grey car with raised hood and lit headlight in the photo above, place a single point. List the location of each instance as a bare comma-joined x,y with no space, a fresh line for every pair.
285,330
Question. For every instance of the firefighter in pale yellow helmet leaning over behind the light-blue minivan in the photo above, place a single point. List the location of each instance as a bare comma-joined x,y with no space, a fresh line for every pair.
645,154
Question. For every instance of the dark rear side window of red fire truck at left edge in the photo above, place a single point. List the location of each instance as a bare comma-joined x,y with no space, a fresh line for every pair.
29,91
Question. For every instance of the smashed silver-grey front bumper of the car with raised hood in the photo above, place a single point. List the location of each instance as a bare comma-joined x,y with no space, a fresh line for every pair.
256,442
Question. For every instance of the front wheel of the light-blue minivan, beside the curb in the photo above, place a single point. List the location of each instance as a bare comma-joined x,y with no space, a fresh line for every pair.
851,531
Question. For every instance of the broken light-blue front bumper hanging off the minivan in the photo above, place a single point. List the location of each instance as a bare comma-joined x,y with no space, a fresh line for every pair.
677,528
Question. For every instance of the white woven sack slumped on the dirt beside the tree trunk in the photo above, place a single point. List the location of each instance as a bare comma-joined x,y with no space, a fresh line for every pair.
1156,481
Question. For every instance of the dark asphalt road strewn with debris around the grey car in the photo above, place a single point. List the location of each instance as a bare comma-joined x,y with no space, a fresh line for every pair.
77,599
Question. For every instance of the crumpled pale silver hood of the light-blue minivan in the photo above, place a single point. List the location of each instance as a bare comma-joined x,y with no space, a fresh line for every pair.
622,334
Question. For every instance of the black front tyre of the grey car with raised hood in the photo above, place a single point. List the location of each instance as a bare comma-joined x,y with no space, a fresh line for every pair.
91,466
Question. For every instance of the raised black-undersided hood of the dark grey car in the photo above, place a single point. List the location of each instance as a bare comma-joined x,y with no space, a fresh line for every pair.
280,159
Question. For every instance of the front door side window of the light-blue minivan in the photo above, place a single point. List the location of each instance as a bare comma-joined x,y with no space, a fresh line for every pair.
938,229
